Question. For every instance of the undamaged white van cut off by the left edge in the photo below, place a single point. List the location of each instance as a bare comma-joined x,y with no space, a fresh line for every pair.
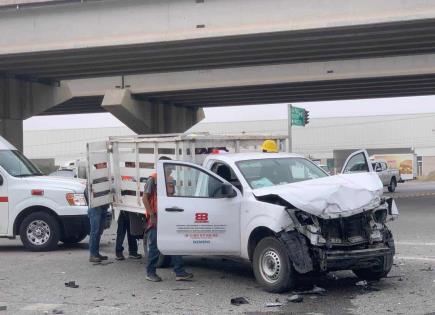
42,210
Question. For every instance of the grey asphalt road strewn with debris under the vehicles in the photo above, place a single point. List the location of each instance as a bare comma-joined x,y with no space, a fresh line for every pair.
33,283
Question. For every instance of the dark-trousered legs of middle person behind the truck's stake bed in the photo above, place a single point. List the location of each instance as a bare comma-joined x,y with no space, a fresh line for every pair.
122,230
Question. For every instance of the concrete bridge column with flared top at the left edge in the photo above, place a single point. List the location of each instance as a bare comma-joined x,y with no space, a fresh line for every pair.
20,100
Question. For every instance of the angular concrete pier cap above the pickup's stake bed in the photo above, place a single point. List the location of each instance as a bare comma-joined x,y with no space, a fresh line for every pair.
144,117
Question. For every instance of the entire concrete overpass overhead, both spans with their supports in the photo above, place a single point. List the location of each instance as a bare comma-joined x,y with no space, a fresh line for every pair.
154,64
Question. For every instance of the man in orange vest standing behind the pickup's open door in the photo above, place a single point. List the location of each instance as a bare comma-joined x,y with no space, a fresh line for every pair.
150,202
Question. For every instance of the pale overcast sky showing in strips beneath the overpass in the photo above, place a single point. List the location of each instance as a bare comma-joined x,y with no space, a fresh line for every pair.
366,107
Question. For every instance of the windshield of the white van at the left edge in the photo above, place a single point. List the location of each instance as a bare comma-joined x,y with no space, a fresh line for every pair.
16,164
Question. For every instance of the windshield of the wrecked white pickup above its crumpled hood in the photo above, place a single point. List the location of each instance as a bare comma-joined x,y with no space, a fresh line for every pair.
271,172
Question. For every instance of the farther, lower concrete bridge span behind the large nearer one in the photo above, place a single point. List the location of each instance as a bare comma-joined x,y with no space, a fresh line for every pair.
317,81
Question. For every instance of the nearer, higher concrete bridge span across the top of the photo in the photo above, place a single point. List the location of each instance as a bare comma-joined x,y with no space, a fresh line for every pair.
187,35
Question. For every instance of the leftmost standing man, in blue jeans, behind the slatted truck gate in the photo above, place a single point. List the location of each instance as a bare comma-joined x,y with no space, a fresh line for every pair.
97,220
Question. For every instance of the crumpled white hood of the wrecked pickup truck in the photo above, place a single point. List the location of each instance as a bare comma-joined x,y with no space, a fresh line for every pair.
331,197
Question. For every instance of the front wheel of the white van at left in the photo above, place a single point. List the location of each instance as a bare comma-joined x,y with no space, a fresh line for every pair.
39,232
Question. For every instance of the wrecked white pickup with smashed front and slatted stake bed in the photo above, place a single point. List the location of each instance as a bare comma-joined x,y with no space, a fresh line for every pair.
280,211
